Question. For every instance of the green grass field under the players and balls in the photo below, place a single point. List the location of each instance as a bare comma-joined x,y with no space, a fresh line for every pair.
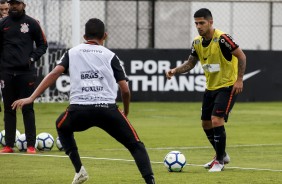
254,143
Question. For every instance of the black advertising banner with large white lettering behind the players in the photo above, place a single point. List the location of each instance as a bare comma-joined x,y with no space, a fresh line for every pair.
146,72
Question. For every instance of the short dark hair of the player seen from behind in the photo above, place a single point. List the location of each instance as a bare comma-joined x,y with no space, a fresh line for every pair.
94,28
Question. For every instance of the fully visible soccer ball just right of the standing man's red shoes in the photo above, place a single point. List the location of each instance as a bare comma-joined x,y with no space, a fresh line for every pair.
45,141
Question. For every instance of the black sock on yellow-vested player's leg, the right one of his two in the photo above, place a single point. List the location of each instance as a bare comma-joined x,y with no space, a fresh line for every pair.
220,142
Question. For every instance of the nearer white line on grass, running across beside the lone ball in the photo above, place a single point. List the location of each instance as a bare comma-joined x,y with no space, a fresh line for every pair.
126,160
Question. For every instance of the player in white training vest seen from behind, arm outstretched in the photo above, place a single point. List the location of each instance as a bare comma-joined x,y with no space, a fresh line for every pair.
95,75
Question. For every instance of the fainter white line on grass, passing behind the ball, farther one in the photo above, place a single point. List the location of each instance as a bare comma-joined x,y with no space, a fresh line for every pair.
200,147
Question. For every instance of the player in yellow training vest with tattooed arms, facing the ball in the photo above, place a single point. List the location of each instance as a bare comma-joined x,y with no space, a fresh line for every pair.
224,64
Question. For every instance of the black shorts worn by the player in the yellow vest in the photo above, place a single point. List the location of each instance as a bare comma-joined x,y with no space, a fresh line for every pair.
218,103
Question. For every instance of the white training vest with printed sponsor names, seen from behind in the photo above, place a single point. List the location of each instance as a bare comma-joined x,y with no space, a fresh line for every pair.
91,75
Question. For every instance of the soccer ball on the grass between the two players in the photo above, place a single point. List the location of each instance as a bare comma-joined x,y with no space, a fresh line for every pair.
174,161
